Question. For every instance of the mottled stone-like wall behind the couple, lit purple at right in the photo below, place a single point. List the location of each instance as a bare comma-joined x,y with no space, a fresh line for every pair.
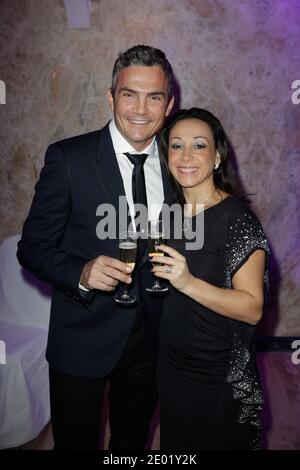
238,58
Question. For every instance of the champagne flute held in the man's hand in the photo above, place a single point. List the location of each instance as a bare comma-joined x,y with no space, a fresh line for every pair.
127,254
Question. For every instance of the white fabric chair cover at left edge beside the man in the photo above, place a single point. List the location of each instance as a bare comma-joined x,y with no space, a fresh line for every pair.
24,319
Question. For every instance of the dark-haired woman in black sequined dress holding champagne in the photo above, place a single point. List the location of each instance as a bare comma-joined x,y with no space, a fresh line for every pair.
210,393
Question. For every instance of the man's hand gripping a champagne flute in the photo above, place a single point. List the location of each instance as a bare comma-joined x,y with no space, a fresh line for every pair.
104,273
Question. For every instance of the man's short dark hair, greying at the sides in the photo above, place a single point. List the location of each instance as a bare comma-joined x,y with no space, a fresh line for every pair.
146,56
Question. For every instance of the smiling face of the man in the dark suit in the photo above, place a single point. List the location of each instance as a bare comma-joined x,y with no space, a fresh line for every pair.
140,103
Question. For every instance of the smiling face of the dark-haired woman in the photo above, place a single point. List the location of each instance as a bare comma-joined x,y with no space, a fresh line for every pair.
192,153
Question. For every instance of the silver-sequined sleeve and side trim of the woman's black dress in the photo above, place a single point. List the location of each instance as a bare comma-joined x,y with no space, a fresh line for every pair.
243,235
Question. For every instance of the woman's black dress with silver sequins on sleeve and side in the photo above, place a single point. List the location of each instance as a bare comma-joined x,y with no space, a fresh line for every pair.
210,393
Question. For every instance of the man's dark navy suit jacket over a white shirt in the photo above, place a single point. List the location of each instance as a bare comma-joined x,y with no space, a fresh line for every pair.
86,335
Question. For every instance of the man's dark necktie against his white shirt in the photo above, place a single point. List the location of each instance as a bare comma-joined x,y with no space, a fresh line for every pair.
139,194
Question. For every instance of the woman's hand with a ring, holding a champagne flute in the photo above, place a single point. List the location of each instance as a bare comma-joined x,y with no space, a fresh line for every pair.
173,267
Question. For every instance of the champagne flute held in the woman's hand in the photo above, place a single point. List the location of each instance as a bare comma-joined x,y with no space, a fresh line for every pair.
156,236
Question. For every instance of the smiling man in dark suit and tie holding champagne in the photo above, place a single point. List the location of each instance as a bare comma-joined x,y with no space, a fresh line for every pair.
92,339
